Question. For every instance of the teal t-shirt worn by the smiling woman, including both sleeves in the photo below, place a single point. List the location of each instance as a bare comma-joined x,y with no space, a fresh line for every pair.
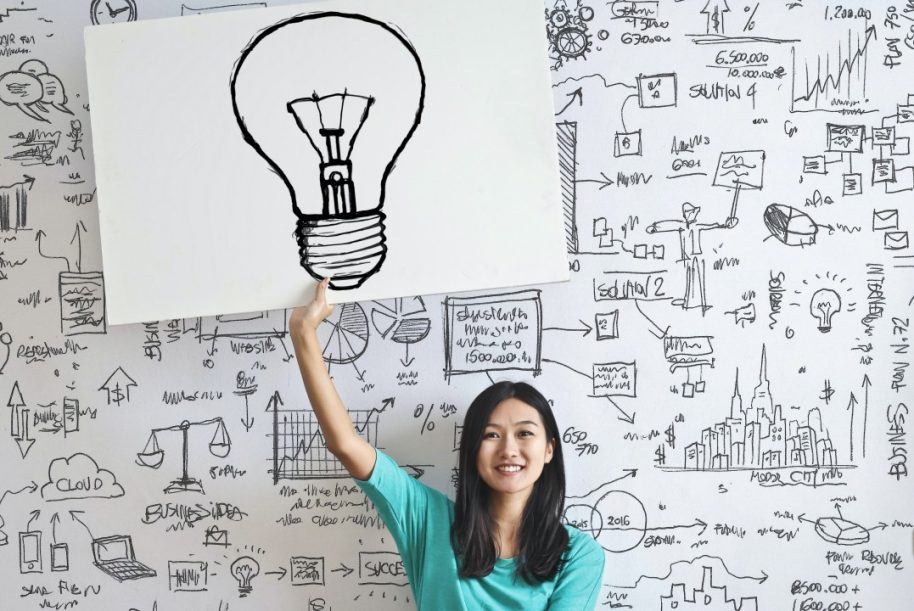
419,518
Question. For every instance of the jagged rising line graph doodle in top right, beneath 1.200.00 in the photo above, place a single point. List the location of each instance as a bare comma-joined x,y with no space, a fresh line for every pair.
836,80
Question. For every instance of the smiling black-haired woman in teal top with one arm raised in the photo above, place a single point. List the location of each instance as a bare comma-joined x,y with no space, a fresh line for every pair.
502,543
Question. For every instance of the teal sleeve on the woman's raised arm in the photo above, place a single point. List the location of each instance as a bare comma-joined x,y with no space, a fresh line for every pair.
402,502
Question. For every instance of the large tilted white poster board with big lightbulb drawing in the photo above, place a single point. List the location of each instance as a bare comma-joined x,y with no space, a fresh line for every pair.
384,137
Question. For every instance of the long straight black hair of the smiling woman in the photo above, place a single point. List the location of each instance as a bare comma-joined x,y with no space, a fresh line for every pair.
543,538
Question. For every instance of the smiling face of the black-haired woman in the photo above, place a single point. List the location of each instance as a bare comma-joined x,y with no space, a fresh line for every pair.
513,449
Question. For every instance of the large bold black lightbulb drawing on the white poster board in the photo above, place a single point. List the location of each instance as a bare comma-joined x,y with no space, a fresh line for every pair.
330,100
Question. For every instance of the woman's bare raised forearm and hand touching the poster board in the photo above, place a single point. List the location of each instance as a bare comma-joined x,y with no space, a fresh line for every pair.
356,454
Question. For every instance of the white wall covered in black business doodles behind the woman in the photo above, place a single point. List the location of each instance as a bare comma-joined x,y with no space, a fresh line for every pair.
729,364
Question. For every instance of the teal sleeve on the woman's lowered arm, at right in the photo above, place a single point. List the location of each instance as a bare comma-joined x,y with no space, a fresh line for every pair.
579,582
